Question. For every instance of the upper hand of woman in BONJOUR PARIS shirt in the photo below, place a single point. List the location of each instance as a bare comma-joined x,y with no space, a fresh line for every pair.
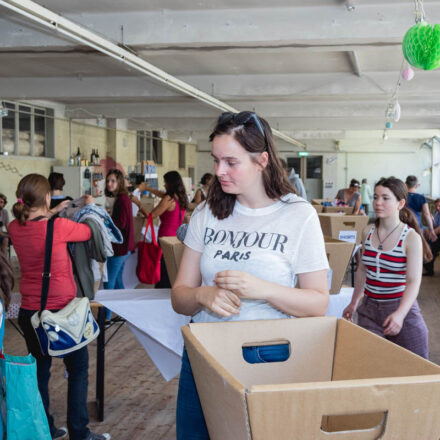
239,282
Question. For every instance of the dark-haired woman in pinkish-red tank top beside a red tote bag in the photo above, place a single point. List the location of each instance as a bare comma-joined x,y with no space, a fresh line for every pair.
171,211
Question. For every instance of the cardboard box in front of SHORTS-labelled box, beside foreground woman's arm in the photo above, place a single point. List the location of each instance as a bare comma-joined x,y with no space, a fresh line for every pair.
339,256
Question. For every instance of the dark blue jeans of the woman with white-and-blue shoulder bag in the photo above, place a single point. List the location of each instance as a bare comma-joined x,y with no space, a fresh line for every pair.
77,365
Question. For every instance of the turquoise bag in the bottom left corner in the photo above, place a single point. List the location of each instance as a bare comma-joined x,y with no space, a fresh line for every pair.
22,409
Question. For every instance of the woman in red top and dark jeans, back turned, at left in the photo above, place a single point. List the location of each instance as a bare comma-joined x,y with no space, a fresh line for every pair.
28,235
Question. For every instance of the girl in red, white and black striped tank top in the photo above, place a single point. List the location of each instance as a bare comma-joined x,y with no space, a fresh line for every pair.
390,271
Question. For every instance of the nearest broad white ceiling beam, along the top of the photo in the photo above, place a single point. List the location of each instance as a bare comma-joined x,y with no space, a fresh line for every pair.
304,26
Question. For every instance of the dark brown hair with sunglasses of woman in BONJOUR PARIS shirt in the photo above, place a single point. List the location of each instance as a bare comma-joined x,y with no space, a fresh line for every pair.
254,138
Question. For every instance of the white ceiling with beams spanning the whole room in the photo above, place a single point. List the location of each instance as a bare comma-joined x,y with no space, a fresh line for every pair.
312,71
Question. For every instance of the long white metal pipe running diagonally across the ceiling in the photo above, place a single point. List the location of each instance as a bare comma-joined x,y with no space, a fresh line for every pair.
57,23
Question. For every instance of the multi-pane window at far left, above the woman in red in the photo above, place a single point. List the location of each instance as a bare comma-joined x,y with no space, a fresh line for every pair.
27,130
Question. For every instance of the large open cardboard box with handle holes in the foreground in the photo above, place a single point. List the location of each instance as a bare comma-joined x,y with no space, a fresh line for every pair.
340,382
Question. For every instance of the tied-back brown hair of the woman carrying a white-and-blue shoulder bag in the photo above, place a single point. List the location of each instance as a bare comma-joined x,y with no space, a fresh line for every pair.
31,192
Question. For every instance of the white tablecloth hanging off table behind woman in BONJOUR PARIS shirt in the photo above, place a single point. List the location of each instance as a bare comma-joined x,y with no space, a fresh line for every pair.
157,327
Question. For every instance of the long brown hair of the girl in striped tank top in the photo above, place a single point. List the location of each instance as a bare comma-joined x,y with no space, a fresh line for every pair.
400,191
